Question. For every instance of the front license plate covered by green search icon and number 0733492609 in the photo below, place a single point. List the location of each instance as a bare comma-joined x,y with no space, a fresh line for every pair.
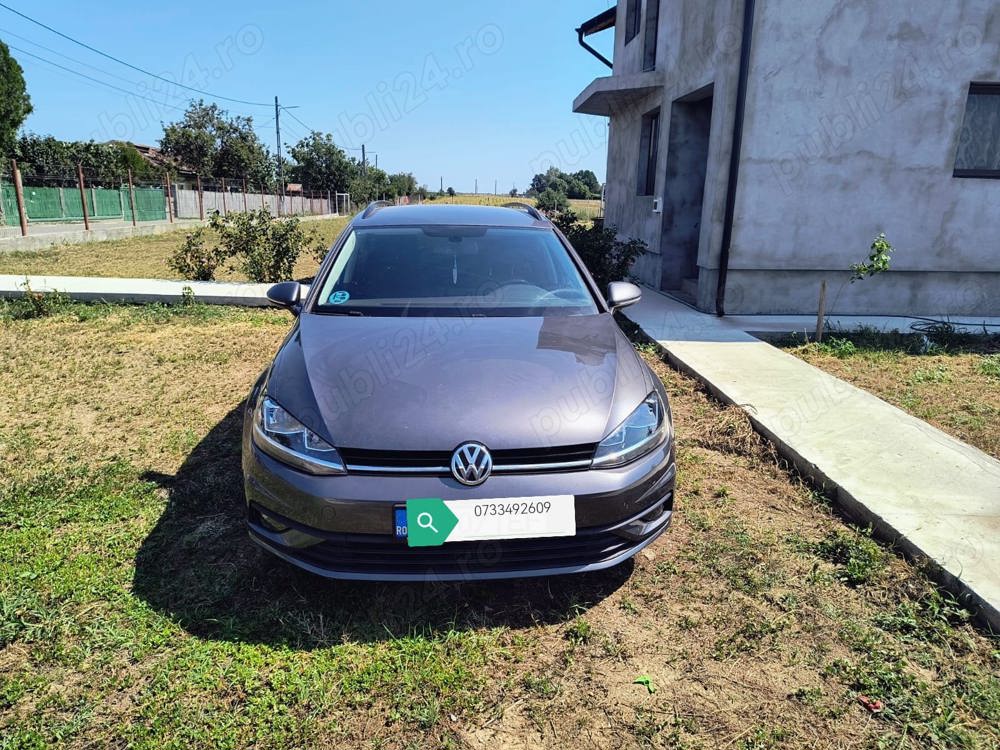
431,521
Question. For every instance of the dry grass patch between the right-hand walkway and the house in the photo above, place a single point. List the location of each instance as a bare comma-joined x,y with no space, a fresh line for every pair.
954,385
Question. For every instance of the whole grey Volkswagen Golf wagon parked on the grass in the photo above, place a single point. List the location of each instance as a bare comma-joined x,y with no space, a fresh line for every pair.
455,401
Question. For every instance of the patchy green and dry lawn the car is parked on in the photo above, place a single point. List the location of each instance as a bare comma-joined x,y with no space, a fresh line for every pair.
135,612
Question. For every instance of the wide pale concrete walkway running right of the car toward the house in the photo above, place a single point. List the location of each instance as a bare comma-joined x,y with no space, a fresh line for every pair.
932,495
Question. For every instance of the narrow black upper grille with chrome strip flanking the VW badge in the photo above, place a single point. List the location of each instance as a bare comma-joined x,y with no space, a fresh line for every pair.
523,460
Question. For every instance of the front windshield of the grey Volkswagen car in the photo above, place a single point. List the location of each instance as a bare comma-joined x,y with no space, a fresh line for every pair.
461,270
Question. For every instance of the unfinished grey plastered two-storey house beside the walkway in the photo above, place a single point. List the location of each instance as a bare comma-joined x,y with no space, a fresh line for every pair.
758,147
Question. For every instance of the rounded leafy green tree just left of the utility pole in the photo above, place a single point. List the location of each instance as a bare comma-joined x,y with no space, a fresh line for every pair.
209,141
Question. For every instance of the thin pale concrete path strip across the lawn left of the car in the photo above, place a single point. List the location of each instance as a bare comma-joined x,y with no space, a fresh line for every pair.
92,288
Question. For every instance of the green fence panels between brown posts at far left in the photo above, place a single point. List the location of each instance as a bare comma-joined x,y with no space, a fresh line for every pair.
51,204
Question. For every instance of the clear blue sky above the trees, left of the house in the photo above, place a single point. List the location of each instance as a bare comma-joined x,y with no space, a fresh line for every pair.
454,89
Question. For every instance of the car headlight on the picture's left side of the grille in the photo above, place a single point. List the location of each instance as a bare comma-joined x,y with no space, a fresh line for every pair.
279,434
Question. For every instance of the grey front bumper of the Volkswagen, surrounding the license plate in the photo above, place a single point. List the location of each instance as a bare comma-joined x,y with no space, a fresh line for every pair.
342,527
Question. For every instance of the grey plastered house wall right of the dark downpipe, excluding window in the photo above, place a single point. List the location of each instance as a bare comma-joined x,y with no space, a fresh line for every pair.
853,118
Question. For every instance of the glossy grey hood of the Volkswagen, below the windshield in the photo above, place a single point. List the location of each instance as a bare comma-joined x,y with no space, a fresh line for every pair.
420,383
